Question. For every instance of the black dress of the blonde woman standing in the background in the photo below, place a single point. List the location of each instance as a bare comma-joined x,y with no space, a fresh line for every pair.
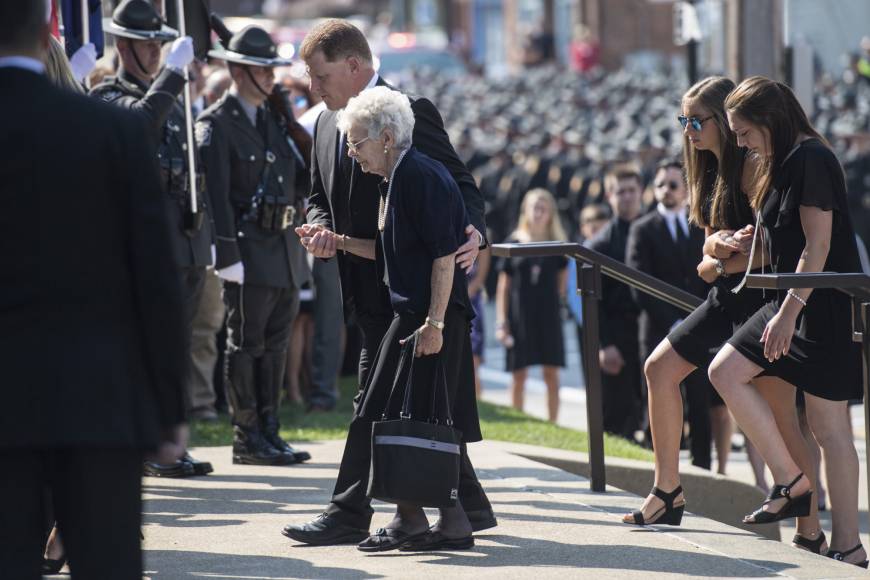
534,312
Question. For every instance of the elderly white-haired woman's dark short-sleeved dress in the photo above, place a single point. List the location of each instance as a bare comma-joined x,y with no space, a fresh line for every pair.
425,220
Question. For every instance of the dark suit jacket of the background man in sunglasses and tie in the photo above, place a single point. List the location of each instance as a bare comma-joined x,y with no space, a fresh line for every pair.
651,249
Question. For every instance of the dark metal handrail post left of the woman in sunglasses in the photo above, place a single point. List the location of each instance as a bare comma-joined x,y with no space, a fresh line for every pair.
589,287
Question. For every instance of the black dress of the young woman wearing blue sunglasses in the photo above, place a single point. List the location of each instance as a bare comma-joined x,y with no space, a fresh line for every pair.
701,335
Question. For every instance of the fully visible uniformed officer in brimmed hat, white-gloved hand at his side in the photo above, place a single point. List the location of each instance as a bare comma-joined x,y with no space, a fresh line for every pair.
256,177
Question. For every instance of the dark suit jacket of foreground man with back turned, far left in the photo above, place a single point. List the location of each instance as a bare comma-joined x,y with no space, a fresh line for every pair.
92,351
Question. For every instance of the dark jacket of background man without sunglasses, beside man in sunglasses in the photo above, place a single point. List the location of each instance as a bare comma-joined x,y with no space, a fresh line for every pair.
618,311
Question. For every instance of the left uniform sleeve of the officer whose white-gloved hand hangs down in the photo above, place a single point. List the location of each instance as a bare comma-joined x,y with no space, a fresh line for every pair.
214,151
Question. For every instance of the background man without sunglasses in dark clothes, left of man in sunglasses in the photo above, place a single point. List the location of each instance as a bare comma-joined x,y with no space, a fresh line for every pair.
619,359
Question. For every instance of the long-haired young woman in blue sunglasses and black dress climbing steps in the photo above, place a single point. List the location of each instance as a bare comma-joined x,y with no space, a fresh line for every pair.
718,175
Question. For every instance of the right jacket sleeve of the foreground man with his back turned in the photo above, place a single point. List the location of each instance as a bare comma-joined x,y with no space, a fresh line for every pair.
157,286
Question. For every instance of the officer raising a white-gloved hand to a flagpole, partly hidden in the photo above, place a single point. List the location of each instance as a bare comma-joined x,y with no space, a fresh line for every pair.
141,85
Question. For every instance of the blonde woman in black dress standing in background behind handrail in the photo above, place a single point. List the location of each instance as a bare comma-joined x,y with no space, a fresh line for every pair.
528,295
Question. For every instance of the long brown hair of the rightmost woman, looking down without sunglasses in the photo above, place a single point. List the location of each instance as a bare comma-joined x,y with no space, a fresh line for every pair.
770,105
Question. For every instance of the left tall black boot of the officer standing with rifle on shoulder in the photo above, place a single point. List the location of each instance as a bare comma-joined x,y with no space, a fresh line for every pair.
249,446
